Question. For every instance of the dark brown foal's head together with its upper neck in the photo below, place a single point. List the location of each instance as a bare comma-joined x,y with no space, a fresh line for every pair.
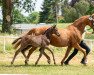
51,30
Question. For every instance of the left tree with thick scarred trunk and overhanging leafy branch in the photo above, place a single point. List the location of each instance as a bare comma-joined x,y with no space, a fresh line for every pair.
7,7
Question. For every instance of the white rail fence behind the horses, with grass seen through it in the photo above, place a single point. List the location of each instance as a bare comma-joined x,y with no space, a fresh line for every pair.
5,43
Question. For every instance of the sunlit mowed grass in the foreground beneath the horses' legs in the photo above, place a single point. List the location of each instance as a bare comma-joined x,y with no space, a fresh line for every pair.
43,68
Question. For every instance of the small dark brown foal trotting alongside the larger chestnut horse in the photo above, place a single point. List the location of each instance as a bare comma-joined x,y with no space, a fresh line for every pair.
41,41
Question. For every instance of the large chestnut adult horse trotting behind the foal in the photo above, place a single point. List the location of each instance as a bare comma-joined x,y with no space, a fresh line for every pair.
70,36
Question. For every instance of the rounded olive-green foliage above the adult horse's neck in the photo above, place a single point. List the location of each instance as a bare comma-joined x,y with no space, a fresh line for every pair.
78,9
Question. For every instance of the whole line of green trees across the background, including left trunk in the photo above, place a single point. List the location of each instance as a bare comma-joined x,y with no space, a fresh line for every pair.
11,11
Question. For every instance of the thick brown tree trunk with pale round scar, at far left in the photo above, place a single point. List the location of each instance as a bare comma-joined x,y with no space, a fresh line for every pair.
7,16
